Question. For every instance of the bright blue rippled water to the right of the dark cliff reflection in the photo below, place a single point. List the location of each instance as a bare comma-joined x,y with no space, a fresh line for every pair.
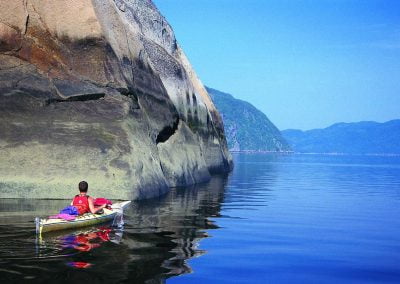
305,219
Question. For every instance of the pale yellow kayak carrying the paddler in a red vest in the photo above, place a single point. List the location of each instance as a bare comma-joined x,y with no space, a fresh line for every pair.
47,225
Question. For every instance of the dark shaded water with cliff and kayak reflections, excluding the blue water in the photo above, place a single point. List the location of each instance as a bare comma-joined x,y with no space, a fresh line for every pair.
159,236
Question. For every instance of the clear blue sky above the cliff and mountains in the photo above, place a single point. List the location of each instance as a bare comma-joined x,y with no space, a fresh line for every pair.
305,63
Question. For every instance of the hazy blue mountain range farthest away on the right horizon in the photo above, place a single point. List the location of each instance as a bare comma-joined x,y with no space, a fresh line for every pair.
366,137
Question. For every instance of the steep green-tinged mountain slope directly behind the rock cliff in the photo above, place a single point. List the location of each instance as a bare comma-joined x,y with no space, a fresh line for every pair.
247,128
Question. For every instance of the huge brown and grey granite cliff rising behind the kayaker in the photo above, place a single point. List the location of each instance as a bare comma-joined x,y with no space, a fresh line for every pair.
99,90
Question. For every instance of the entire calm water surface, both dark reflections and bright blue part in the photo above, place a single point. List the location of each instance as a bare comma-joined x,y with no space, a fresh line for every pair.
275,219
